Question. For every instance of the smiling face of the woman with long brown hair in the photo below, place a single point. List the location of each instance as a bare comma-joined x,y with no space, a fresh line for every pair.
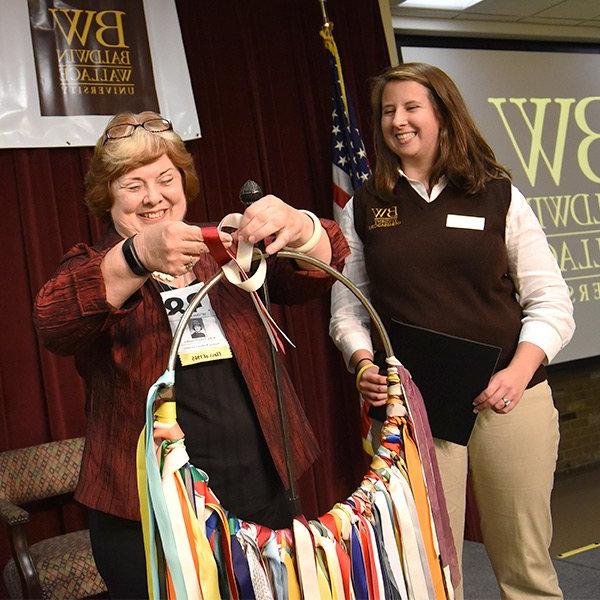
410,125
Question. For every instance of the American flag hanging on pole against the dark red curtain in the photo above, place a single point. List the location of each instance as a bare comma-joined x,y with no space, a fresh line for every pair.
349,158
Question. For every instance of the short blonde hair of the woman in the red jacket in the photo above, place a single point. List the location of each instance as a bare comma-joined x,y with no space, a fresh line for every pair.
114,157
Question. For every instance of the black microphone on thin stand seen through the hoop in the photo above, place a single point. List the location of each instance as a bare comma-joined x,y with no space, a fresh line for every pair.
251,192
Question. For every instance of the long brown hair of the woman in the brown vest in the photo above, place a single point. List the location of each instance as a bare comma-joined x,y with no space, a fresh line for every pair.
464,157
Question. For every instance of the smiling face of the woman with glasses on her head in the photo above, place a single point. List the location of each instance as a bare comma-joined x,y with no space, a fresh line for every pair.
150,194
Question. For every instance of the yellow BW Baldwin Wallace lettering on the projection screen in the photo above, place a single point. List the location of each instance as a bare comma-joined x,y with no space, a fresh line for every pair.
540,130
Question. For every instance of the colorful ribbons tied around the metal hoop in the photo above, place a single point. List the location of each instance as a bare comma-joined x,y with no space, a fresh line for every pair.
380,542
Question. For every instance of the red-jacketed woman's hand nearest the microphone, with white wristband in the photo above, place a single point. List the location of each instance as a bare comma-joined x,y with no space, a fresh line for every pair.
271,216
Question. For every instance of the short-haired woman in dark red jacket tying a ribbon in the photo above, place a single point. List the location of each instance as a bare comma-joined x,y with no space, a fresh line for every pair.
113,306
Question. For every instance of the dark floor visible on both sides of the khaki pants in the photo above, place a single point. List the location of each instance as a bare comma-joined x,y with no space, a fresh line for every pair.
576,519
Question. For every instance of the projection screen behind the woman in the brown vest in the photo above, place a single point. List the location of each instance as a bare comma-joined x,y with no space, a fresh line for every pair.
540,112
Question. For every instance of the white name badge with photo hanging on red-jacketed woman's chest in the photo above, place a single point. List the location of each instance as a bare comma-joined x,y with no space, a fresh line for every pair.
203,339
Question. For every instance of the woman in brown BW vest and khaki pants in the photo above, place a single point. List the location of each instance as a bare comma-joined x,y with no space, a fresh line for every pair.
463,254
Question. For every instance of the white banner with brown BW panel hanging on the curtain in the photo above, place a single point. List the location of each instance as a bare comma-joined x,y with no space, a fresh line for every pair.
65,69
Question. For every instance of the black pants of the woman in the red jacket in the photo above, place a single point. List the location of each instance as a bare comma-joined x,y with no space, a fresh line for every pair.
118,546
